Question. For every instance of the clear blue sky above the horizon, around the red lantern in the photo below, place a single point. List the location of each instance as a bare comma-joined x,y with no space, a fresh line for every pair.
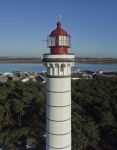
25,24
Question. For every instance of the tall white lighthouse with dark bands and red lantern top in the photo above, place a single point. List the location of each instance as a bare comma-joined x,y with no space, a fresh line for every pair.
58,90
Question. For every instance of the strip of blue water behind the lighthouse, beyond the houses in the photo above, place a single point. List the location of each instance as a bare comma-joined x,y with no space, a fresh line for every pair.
40,67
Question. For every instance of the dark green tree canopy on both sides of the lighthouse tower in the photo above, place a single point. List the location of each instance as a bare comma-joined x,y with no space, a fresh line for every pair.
94,114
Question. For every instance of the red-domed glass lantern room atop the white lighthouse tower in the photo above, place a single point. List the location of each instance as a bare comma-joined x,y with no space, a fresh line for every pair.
59,40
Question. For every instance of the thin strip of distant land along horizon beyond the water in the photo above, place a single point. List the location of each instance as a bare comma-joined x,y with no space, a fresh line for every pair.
78,60
